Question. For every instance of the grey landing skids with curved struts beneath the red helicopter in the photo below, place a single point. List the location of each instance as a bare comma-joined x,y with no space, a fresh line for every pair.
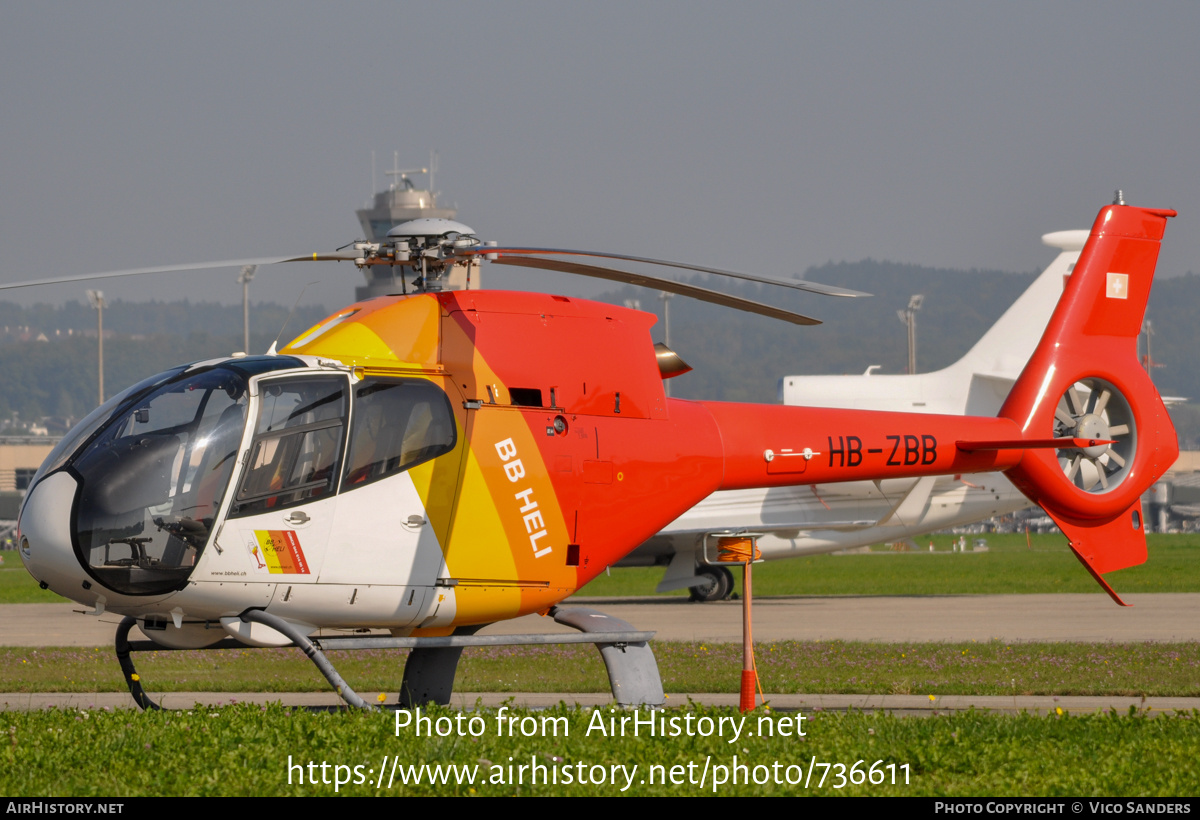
434,662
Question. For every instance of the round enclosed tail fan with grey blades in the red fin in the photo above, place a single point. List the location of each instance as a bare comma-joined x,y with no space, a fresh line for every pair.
1094,409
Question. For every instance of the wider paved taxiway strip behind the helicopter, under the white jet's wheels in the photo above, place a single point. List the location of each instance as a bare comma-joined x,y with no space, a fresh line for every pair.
895,619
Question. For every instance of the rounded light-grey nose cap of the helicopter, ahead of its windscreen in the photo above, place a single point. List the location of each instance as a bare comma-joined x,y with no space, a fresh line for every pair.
46,536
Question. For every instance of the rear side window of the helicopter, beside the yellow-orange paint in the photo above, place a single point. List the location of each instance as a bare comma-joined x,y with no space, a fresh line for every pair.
398,426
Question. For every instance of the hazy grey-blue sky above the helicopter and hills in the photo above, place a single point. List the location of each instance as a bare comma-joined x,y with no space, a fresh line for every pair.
764,137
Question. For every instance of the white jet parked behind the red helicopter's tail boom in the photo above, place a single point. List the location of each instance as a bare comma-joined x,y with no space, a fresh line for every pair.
807,520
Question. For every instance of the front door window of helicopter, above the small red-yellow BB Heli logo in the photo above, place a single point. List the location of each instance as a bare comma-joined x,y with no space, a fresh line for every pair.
298,445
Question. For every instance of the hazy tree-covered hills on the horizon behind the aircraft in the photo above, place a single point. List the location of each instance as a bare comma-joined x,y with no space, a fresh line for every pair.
737,357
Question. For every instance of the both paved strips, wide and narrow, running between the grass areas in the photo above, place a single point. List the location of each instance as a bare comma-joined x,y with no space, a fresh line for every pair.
895,619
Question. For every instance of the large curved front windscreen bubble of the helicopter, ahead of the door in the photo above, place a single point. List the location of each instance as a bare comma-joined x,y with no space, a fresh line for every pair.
153,475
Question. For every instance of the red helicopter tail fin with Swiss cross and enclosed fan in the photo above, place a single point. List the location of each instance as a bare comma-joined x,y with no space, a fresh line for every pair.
1085,381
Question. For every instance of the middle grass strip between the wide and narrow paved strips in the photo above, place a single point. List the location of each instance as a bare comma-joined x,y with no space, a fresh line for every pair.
784,668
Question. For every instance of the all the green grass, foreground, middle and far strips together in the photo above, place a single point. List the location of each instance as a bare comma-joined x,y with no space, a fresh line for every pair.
247,751
